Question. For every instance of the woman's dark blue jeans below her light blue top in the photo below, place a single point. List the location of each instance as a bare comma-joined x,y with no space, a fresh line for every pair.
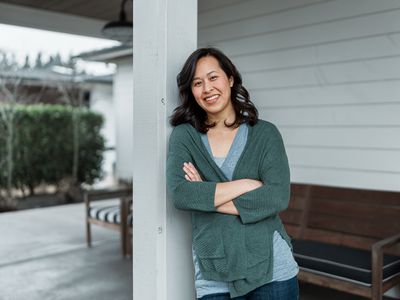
276,290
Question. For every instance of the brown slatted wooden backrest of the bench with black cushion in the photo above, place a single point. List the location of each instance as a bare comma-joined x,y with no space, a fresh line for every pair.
344,216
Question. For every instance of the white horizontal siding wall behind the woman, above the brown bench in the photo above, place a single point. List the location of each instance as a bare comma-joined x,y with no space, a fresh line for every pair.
327,73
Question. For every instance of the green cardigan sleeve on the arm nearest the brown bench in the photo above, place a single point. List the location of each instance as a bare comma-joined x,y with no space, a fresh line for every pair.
273,196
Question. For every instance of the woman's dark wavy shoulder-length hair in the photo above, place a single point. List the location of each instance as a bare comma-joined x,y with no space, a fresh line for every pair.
190,112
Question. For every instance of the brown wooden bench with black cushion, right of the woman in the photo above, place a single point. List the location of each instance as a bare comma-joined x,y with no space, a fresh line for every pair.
345,239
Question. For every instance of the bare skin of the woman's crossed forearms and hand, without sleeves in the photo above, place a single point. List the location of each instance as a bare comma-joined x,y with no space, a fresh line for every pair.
225,192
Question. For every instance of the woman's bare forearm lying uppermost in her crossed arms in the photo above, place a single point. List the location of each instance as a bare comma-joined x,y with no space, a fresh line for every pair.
227,191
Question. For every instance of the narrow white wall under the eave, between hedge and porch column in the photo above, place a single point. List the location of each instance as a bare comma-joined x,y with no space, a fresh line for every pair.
123,95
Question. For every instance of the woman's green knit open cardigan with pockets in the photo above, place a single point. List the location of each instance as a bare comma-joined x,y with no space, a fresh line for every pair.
235,249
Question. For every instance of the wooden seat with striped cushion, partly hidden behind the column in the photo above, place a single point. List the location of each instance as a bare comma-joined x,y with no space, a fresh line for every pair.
115,216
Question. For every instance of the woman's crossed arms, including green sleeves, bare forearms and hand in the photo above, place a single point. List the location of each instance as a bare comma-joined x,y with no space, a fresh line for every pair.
252,200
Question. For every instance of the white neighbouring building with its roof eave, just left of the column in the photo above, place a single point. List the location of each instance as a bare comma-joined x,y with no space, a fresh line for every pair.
122,104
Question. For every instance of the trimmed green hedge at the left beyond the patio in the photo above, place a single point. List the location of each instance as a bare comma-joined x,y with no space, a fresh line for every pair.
43,143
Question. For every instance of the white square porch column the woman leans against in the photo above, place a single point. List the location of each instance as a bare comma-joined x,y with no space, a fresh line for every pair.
165,32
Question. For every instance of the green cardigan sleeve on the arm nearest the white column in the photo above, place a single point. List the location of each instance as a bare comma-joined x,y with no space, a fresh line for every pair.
186,195
